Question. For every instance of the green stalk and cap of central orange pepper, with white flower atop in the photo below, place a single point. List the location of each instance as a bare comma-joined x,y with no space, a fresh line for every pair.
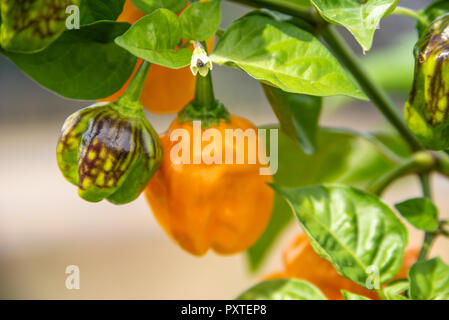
204,106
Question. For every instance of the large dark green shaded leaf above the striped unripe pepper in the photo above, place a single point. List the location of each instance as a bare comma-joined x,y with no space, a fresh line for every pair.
81,64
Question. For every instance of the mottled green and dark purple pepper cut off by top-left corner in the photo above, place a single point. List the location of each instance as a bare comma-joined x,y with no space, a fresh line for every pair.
29,26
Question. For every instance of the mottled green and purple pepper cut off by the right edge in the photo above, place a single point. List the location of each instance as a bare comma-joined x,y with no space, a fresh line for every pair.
427,107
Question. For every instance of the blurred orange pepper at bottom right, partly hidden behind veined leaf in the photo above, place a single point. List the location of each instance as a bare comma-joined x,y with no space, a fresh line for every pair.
302,262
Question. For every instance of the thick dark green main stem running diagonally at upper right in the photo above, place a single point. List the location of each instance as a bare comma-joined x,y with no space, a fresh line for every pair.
371,89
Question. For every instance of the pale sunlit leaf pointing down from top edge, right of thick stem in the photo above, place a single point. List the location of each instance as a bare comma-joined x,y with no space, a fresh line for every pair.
361,18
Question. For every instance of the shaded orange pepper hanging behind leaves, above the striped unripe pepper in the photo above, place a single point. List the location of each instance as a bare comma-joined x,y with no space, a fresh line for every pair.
166,90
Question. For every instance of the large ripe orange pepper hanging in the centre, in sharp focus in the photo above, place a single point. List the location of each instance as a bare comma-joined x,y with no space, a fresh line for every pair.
224,207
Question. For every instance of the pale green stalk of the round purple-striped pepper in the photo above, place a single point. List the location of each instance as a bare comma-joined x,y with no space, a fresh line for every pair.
131,97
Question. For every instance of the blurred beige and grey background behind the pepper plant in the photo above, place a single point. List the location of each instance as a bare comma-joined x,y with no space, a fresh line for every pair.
121,251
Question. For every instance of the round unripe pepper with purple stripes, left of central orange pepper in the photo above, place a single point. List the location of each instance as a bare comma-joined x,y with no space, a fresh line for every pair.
108,153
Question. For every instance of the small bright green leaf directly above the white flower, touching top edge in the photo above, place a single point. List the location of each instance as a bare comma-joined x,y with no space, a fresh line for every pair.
201,20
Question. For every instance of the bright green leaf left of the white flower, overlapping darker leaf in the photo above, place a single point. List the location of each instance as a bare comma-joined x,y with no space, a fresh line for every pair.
154,38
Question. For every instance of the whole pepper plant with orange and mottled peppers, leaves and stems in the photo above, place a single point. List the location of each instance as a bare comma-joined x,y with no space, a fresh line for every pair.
131,53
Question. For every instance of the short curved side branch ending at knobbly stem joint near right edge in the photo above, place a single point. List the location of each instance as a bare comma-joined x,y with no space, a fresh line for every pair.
420,163
